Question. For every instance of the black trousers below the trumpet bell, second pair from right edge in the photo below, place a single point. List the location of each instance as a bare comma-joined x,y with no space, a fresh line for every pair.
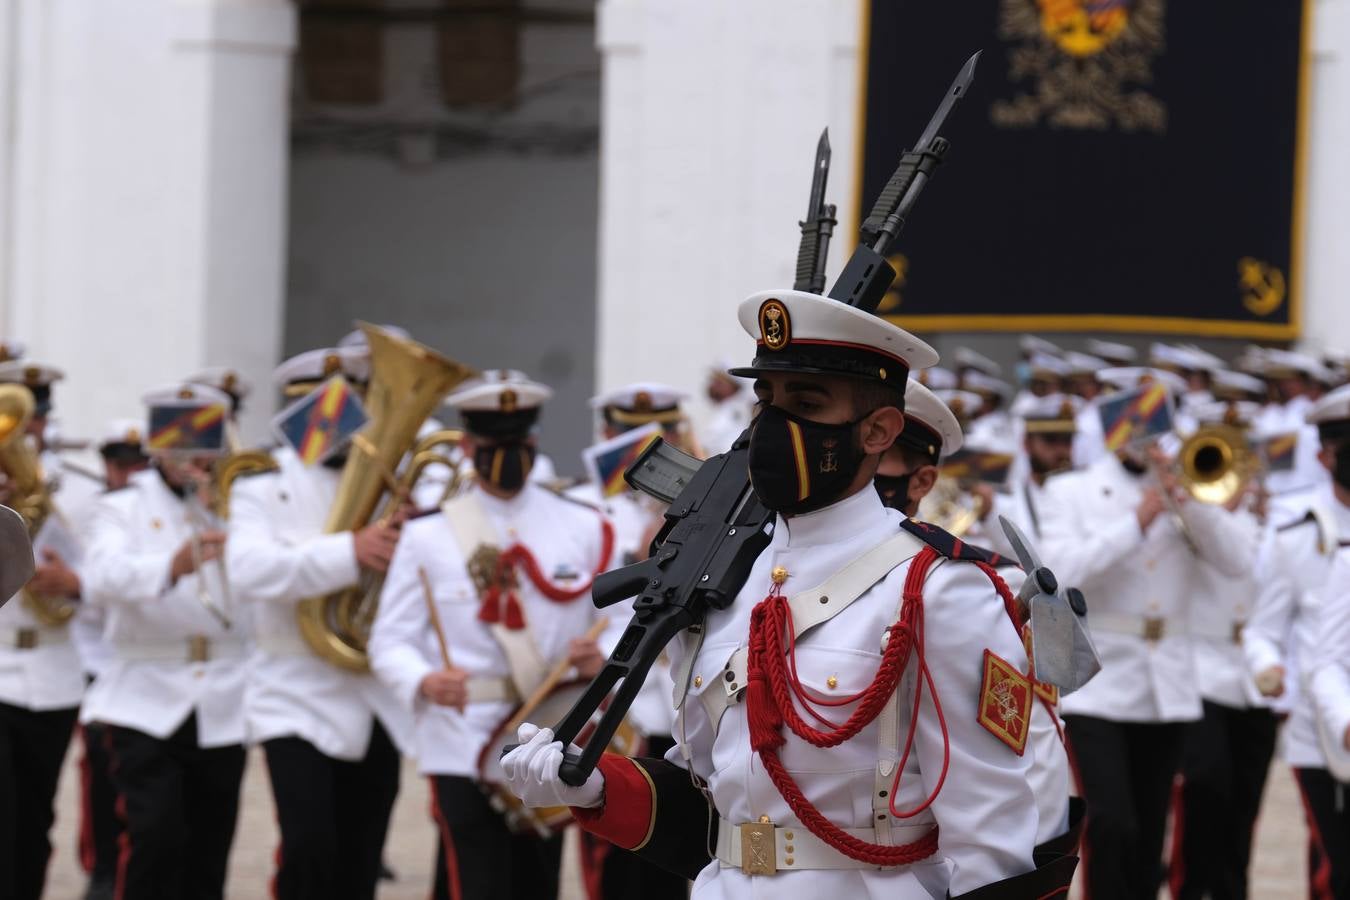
1225,763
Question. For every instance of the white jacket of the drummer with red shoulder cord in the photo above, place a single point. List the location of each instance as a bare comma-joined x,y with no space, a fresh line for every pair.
564,536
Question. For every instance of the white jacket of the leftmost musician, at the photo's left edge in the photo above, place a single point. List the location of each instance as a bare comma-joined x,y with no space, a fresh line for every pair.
40,666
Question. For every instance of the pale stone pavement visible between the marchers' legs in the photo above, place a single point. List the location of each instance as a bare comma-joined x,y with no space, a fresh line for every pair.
1278,872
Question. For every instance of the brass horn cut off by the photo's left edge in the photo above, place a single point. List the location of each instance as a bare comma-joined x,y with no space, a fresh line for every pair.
30,495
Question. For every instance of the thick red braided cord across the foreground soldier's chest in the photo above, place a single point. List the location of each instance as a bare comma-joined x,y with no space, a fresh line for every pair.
769,704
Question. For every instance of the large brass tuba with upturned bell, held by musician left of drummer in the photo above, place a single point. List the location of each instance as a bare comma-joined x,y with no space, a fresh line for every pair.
407,383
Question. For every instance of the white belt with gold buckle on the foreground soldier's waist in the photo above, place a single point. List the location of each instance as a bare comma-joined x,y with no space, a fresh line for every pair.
763,848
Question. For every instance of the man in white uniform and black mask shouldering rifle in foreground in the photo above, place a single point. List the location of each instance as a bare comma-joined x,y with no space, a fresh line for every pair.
803,802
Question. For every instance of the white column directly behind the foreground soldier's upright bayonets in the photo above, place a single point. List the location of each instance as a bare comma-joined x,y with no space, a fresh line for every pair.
711,117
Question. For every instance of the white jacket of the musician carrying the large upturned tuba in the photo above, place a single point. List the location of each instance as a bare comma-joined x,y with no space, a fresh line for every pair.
277,555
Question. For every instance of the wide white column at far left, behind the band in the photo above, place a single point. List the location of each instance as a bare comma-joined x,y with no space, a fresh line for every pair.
148,233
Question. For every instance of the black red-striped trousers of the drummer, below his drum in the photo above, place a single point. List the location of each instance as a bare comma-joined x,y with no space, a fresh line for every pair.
480,859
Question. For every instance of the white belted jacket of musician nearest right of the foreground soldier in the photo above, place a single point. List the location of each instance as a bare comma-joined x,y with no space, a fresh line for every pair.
1139,588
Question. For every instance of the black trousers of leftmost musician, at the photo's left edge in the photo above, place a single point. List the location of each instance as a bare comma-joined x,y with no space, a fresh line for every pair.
33,747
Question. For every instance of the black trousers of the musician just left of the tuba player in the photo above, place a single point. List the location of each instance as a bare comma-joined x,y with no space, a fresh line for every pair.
180,804
